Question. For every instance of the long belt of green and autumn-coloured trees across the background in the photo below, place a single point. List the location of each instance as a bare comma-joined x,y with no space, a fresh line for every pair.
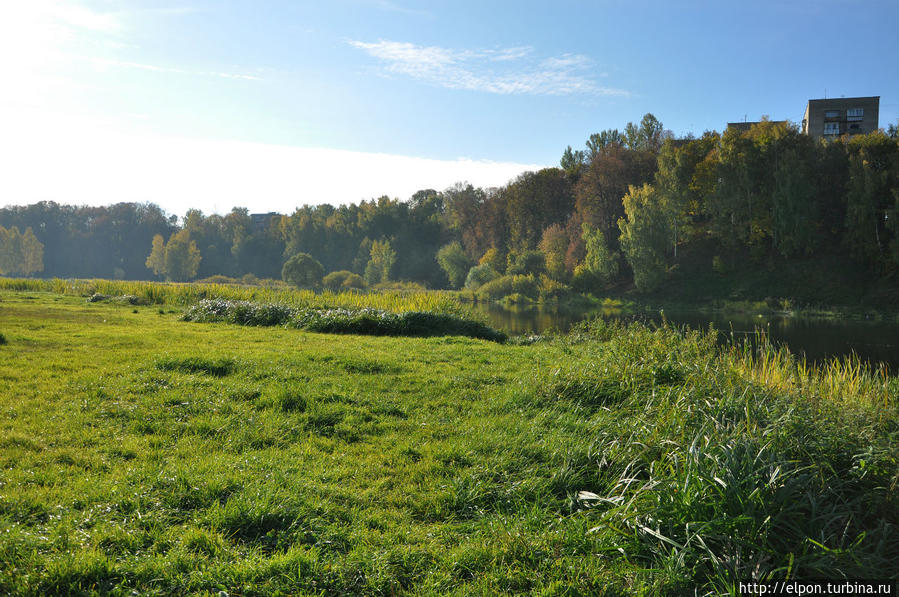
625,207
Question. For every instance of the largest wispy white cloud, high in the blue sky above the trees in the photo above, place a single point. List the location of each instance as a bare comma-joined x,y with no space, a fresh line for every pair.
502,71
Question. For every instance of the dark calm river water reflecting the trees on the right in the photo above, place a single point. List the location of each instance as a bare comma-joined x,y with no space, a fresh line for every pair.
818,339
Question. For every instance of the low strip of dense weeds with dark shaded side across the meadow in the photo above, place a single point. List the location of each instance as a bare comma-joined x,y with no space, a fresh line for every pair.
364,321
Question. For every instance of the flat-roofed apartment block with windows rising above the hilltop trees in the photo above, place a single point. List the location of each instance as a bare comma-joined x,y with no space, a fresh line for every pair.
831,118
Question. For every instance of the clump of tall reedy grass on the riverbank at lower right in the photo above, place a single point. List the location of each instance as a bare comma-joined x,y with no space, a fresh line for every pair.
718,466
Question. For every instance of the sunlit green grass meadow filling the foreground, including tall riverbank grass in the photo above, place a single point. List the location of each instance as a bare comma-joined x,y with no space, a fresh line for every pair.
143,454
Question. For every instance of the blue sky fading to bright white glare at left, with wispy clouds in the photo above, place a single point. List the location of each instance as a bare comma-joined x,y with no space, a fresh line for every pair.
273,104
